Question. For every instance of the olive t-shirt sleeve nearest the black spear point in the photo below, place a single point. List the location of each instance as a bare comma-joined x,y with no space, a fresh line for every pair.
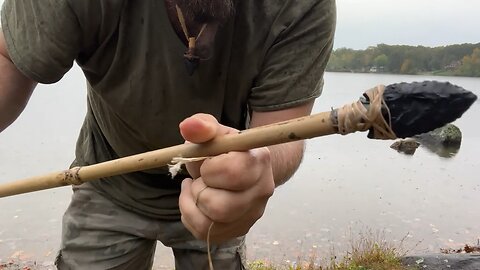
293,68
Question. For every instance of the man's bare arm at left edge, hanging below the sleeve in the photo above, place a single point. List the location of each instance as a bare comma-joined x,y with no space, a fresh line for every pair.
15,88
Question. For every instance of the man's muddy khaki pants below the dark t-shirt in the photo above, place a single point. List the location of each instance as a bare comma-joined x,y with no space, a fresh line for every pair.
99,235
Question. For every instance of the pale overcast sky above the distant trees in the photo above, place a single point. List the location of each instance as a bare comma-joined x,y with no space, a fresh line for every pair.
363,23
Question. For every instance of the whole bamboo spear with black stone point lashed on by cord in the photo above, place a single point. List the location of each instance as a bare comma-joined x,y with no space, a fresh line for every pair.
386,112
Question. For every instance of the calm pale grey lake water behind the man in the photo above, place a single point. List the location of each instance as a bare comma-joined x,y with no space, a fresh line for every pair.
346,184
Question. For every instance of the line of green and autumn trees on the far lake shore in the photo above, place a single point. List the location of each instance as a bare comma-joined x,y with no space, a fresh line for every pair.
452,60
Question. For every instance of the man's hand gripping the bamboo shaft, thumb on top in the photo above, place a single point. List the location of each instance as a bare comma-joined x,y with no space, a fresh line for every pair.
231,190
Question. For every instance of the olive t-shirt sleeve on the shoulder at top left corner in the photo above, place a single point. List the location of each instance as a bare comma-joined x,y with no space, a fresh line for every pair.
43,37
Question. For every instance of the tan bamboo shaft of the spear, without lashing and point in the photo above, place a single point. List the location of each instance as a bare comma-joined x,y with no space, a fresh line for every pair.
292,130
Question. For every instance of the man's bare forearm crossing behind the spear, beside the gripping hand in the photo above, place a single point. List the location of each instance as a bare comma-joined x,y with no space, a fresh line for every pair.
285,157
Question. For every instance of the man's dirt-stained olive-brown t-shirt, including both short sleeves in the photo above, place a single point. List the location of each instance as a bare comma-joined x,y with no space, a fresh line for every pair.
269,56
